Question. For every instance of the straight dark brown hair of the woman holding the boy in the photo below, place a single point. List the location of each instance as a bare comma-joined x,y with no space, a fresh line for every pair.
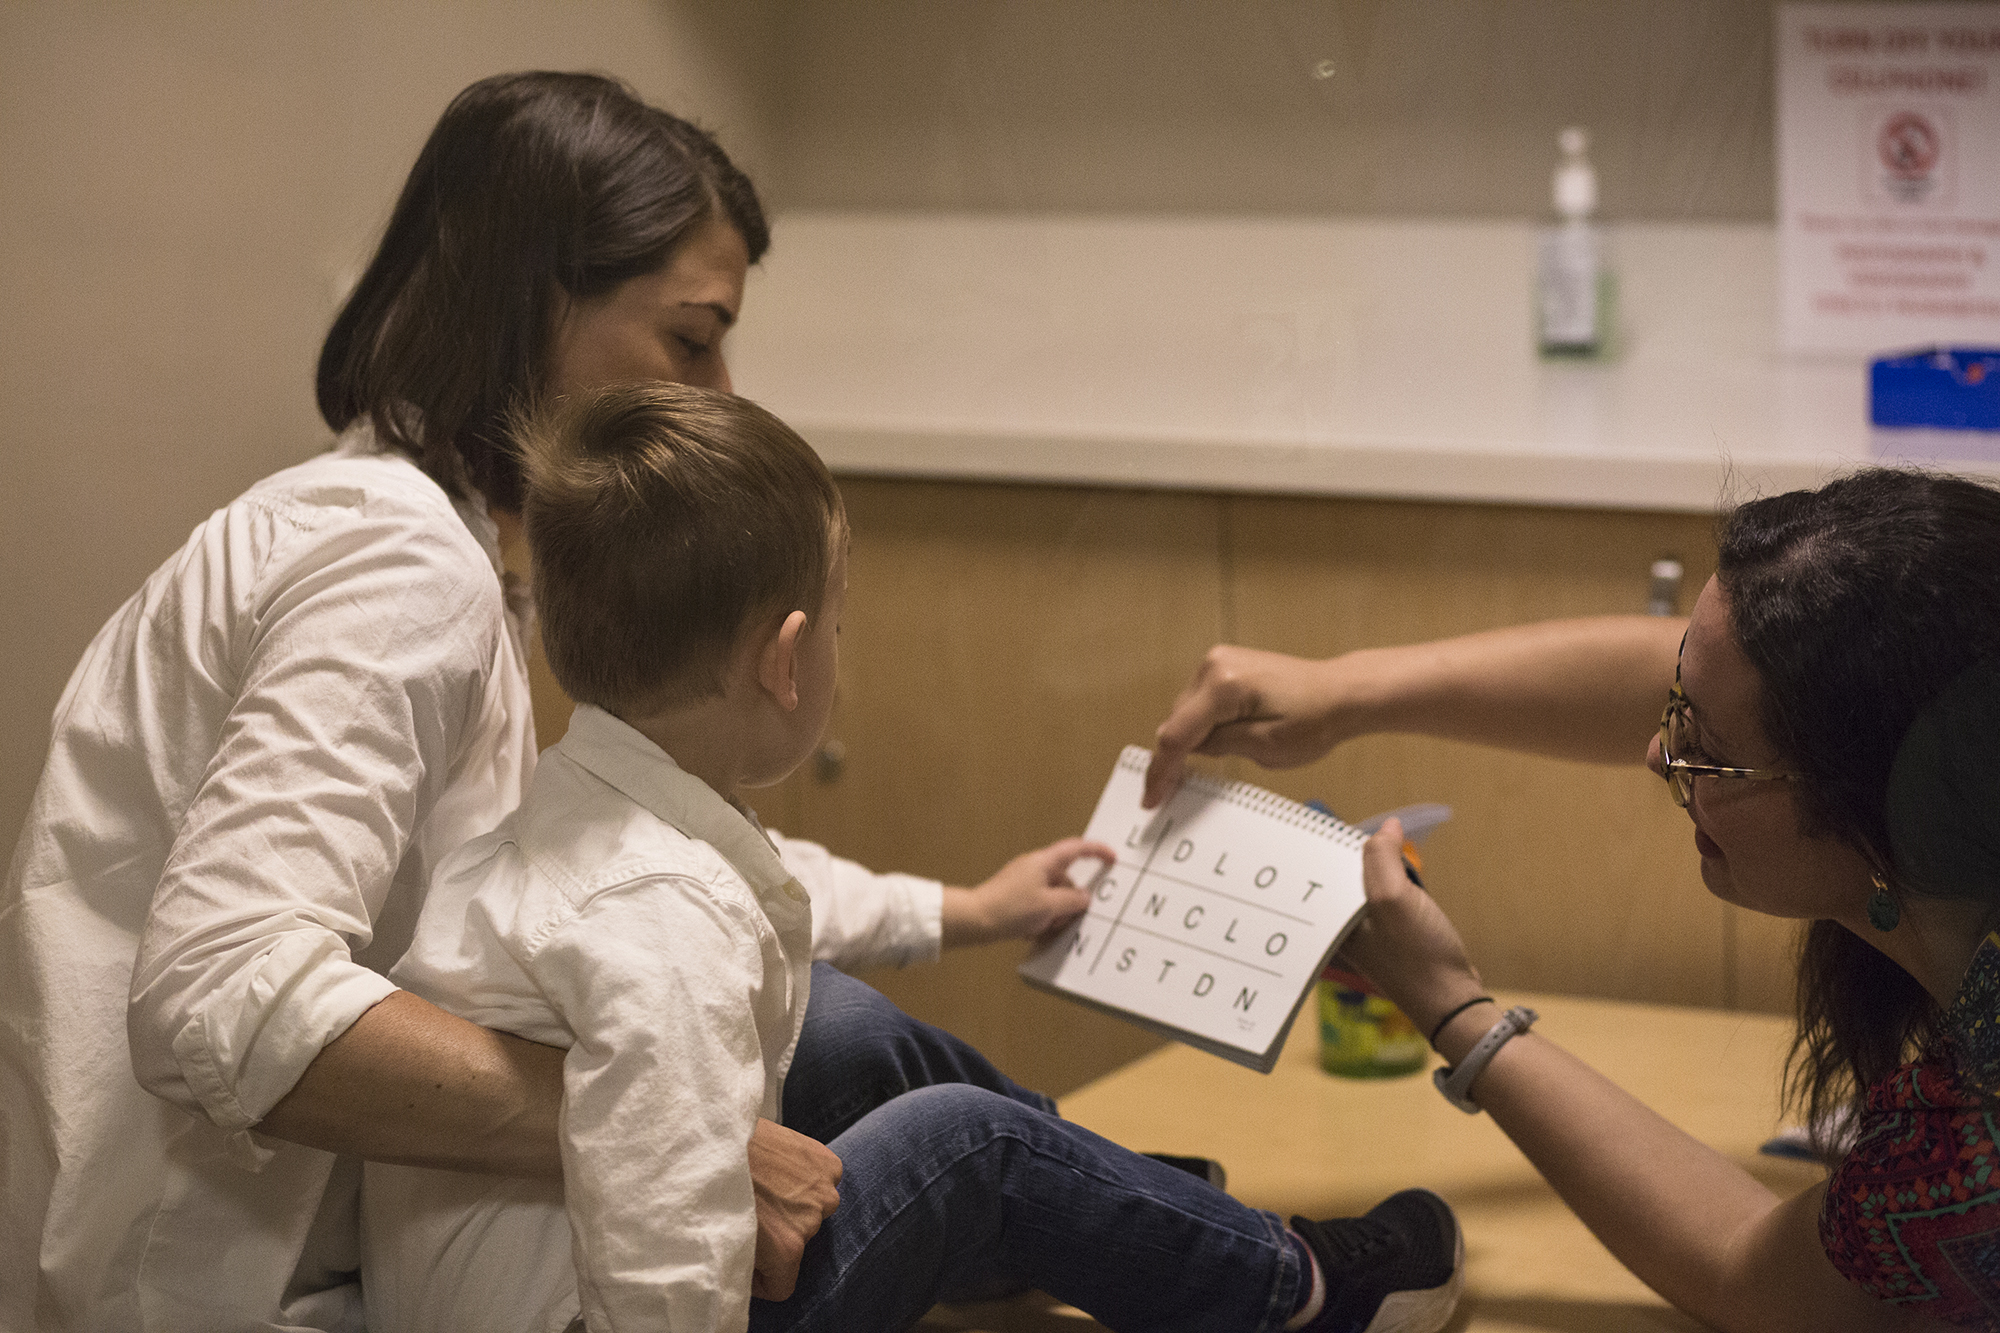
531,185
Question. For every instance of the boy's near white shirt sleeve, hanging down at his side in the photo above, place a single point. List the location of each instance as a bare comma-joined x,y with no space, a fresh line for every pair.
661,1096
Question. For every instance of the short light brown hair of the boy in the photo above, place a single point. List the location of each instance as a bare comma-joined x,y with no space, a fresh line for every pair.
665,521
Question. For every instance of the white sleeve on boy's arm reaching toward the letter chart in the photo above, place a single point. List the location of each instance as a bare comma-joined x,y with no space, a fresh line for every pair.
861,918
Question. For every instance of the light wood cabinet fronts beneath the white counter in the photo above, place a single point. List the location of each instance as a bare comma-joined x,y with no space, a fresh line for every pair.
1005,641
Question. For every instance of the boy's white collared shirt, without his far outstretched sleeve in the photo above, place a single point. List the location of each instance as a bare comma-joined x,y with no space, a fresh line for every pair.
647,926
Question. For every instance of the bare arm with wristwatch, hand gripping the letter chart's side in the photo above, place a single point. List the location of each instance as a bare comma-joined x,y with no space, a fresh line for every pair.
1687,1220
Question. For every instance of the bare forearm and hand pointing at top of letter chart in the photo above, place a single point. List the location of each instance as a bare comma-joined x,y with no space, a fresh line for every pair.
1575,690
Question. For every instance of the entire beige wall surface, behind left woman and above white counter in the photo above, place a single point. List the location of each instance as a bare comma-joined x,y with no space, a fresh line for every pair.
185,187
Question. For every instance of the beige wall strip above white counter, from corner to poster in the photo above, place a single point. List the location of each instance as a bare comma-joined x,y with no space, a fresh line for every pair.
1427,107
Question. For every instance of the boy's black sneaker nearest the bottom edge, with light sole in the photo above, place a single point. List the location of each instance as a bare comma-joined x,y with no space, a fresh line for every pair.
1397,1270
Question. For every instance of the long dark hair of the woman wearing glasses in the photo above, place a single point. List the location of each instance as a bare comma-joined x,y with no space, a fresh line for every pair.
1859,605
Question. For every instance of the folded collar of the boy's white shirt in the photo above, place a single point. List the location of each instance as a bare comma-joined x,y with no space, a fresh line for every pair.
649,778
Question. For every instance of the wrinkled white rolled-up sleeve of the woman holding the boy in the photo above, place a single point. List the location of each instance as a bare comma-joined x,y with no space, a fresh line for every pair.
359,657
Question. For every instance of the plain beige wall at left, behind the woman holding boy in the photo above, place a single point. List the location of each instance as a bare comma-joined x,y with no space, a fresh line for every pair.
183,191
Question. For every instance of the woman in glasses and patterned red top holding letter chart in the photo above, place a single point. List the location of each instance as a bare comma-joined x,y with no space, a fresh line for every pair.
1833,730
